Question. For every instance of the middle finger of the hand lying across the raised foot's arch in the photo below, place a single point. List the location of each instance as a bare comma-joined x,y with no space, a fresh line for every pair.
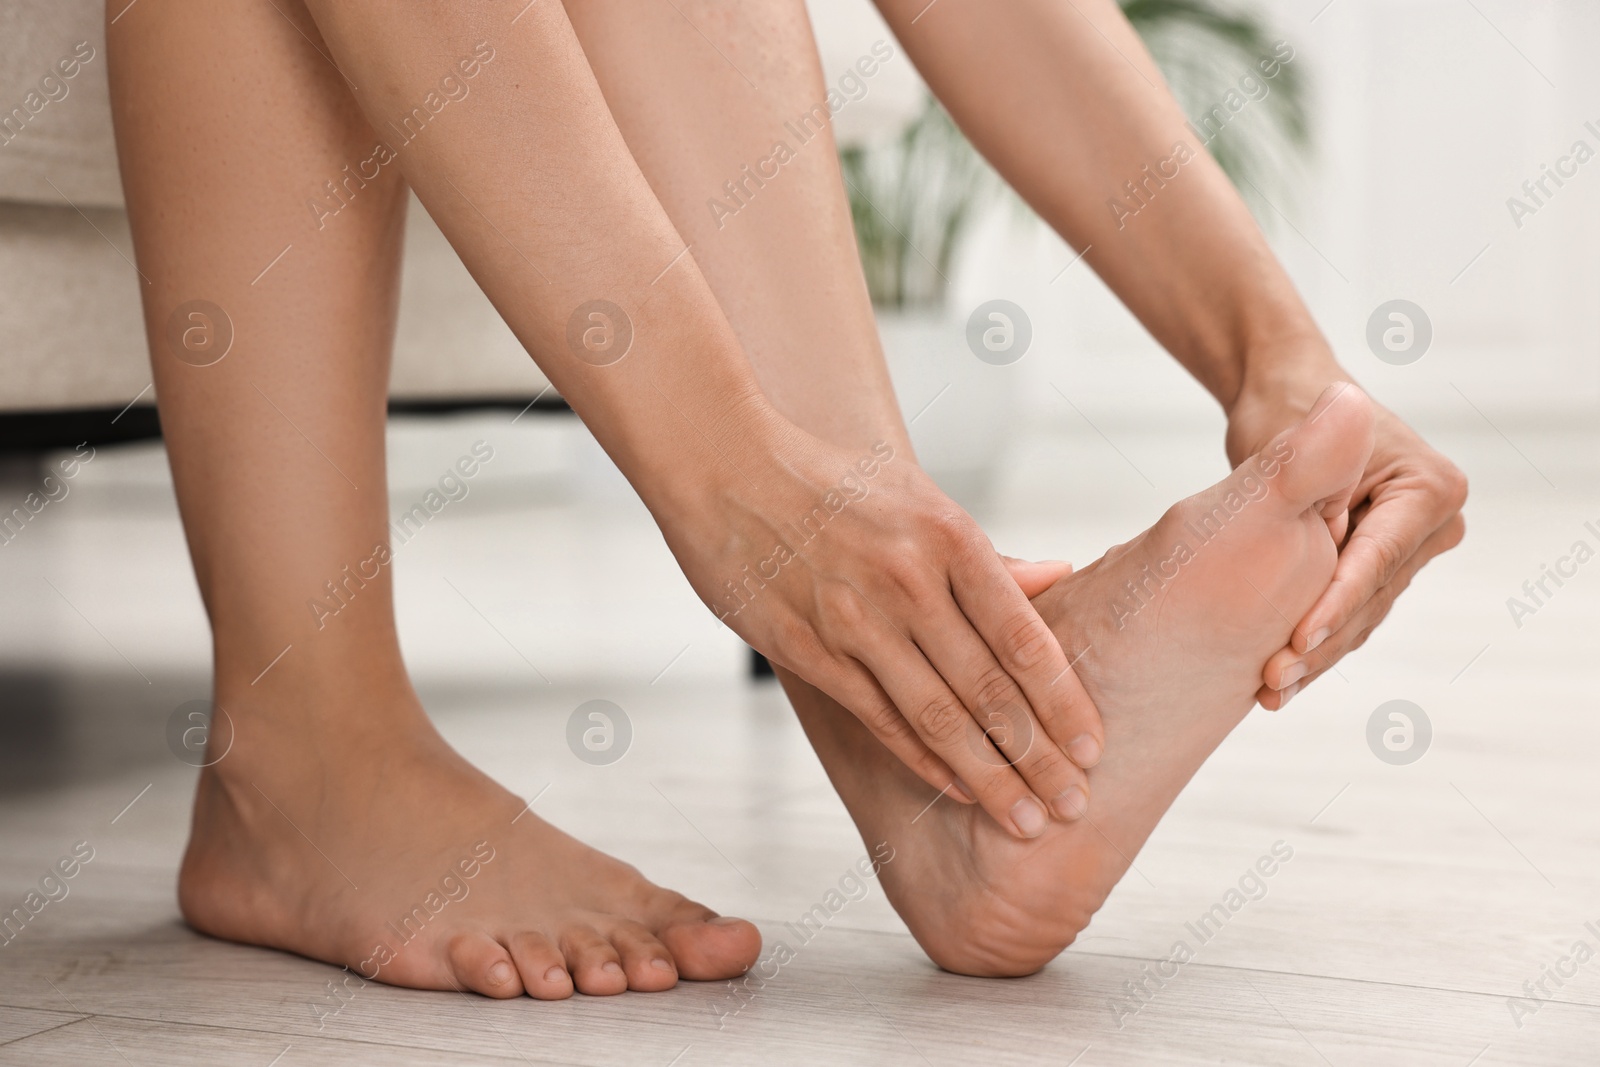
1010,733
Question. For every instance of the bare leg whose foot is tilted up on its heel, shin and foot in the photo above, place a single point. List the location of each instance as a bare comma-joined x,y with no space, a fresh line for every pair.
1172,674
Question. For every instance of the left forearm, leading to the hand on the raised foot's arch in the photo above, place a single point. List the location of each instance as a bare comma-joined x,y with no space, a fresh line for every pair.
527,174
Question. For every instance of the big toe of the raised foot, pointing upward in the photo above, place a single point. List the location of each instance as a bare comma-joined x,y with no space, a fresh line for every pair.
1319,462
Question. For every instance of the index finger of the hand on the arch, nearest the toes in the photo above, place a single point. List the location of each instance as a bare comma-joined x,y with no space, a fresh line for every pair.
1031,655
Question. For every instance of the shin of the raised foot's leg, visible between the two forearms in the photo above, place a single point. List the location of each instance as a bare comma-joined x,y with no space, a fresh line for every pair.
785,270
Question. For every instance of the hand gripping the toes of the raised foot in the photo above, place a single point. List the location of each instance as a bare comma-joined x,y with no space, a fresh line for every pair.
1406,511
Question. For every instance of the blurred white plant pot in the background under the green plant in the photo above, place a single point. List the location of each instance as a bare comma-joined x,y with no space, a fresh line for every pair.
961,410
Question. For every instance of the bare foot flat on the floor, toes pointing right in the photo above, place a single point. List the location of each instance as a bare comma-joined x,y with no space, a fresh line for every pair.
394,857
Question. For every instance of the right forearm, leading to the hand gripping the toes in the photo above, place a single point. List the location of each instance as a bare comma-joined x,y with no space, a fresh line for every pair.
1066,103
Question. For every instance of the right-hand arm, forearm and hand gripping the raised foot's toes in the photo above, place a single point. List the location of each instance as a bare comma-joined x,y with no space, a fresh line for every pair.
1193,266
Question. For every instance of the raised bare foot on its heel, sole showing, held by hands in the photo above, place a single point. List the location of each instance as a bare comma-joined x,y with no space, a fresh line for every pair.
1170,633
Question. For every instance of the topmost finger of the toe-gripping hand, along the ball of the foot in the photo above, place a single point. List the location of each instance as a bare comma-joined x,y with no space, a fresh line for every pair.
1385,540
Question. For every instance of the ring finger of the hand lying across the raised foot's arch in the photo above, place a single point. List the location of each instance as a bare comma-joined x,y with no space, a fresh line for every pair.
946,727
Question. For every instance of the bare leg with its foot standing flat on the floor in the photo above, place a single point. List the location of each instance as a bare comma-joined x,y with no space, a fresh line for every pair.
340,826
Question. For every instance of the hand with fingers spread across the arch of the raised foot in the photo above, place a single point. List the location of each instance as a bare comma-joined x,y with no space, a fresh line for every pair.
858,575
